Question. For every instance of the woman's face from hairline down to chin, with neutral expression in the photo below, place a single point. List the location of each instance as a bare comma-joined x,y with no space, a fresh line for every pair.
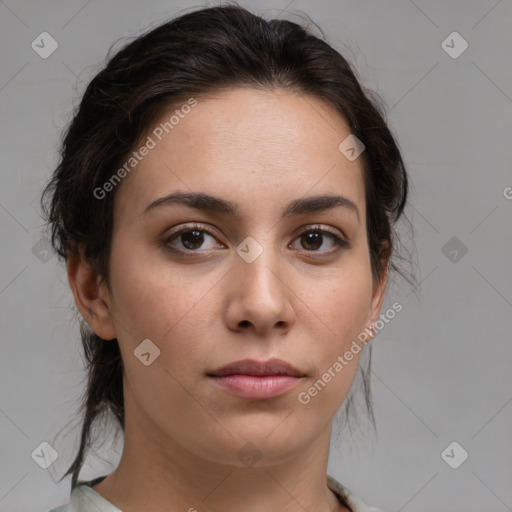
259,280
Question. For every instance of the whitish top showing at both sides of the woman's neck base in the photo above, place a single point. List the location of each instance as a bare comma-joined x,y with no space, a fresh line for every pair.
85,499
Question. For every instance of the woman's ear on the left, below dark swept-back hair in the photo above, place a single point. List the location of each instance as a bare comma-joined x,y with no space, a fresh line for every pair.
91,298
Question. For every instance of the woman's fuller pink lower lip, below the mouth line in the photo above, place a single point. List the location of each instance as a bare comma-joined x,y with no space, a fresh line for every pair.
252,387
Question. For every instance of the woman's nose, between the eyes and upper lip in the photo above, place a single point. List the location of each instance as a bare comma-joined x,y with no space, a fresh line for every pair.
259,295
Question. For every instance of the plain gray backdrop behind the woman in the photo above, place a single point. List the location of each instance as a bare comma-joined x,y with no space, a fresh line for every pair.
441,368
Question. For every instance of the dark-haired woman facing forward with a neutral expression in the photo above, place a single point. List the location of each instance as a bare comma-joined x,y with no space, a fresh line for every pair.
225,205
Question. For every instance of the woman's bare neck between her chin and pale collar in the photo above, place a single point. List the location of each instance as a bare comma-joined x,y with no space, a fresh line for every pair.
152,478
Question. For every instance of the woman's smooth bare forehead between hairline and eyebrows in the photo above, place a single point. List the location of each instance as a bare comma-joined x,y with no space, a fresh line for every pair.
246,145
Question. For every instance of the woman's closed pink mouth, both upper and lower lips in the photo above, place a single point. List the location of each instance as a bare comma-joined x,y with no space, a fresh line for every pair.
255,380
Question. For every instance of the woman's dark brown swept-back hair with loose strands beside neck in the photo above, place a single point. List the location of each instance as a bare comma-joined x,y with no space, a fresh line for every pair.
201,52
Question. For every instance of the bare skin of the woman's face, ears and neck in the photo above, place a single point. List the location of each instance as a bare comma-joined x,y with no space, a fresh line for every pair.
259,149
